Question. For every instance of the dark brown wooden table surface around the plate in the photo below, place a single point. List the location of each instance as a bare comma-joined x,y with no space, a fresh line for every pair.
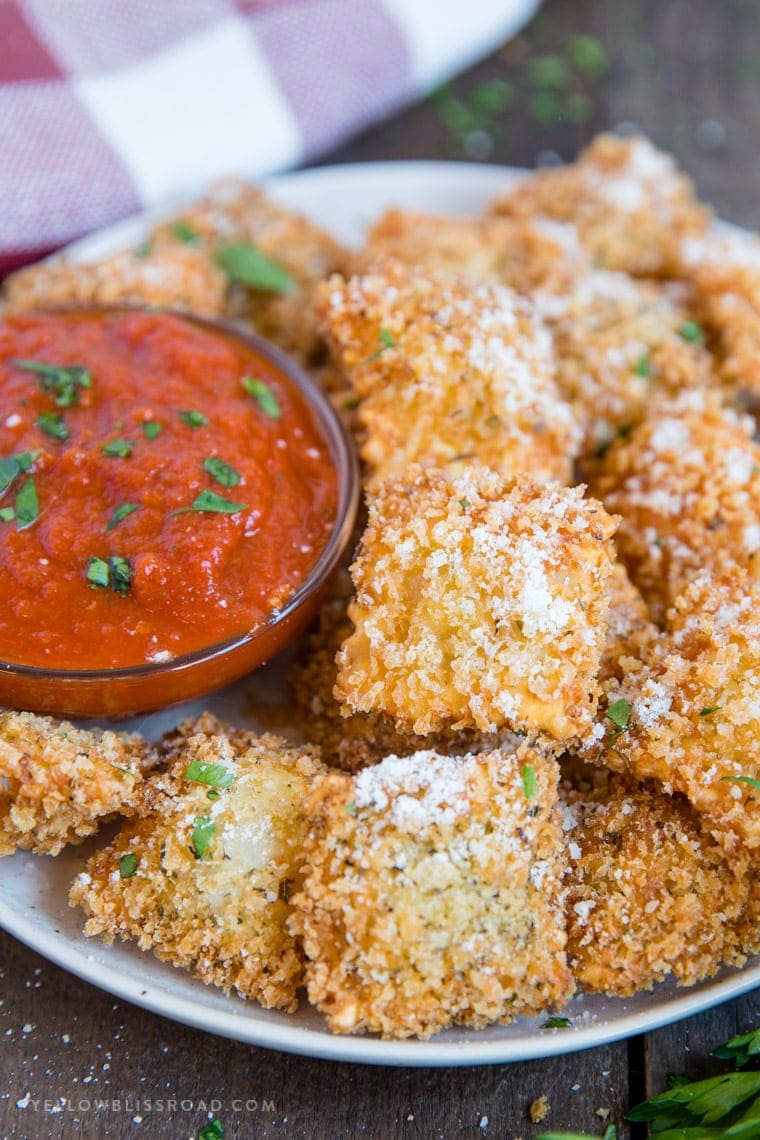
685,72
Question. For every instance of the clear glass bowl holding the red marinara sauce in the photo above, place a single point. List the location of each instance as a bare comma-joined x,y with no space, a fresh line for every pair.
120,693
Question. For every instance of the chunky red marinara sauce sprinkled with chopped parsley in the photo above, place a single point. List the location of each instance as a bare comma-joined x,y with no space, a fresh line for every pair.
164,487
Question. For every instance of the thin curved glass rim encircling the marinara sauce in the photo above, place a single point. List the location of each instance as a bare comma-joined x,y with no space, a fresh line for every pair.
345,460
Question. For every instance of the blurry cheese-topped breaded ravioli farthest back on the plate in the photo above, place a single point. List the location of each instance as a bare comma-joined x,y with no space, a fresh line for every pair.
632,206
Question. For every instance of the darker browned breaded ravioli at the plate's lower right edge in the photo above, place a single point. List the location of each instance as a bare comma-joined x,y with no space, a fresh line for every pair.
649,894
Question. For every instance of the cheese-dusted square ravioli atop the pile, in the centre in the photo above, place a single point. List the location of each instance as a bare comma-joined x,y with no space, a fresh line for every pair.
483,604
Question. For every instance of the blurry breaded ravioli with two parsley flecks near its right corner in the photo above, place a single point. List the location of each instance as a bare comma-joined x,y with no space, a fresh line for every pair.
619,343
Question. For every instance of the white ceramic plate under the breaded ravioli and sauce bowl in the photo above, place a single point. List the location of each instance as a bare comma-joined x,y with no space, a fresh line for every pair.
34,891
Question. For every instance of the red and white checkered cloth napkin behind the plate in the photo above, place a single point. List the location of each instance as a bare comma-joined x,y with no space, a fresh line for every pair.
111,105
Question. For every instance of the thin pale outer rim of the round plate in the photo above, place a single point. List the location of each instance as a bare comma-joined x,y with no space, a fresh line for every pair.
295,1039
